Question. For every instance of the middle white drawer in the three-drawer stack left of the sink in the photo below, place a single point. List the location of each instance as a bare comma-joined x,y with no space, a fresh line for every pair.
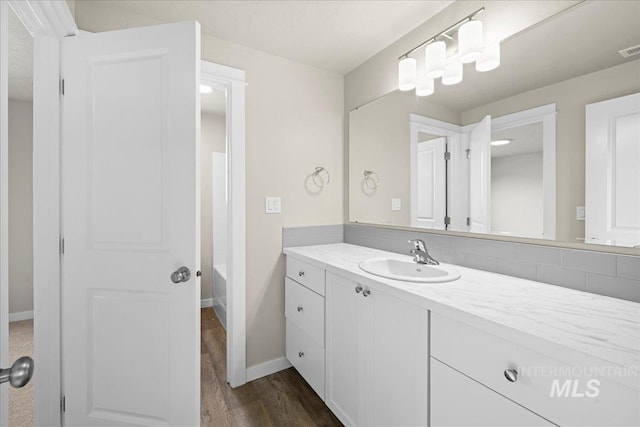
305,308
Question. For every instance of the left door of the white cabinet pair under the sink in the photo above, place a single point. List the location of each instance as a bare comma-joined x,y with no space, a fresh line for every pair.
344,368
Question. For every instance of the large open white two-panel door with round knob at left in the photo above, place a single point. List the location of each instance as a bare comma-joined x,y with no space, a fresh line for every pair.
130,207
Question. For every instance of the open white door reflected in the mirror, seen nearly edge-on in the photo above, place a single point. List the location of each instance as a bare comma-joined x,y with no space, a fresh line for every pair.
480,177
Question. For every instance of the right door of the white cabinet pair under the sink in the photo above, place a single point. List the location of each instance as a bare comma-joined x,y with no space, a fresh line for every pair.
397,380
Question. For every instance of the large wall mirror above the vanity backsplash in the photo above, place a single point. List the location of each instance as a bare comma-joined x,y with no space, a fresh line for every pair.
546,146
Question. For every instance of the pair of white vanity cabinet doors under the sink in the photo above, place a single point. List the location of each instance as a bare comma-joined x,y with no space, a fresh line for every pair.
377,352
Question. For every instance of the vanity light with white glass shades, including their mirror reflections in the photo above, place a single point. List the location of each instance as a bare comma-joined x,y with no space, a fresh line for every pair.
420,75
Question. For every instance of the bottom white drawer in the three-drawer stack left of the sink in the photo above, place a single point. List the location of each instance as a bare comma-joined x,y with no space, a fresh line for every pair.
306,356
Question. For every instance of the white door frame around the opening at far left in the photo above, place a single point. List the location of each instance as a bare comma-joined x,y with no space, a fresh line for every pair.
47,21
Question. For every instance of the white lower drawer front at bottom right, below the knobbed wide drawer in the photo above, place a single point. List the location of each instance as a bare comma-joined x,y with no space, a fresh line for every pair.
457,400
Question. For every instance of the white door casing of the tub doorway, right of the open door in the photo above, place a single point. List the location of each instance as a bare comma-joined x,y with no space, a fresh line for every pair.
233,81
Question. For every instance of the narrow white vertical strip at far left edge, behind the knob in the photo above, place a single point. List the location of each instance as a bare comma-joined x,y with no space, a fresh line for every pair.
4,210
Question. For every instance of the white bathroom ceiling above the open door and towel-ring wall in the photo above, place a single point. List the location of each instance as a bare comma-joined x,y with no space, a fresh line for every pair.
332,35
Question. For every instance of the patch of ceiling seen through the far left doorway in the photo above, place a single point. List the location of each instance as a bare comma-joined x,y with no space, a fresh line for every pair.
20,60
